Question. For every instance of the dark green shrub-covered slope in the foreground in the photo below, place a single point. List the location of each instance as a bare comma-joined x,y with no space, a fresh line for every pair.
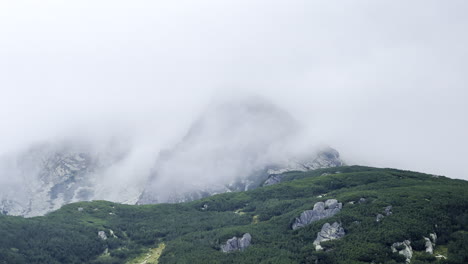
193,232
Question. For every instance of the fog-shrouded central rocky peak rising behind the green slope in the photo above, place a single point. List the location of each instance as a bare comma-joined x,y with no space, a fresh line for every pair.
243,141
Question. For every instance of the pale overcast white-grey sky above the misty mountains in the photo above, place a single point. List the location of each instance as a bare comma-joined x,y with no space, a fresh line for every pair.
383,82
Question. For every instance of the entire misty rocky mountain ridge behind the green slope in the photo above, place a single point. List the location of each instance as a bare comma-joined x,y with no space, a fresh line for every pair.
233,146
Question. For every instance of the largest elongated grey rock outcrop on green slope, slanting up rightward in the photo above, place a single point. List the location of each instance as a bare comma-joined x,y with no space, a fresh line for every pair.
321,210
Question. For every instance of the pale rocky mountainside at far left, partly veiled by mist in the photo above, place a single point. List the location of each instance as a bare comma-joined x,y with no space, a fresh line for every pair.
50,176
